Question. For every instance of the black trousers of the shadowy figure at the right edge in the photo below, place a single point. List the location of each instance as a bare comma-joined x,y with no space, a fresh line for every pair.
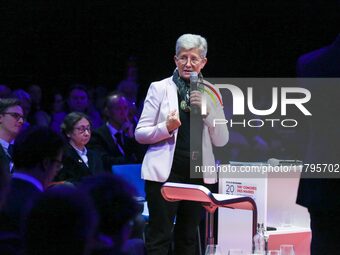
325,228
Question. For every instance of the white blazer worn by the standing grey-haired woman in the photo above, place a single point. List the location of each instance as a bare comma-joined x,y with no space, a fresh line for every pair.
151,129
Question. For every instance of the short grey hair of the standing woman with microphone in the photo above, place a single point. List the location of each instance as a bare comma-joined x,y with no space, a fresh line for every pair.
191,41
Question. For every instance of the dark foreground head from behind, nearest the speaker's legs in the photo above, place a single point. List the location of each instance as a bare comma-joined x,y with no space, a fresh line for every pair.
117,209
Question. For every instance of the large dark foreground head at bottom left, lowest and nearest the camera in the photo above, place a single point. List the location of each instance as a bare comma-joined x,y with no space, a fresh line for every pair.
62,221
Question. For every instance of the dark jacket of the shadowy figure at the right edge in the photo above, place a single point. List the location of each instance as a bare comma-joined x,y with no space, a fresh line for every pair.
324,139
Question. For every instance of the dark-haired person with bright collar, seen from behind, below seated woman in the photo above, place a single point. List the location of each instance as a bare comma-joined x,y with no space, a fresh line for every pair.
37,156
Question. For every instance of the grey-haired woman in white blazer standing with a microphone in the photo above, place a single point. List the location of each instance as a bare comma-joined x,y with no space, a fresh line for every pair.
165,126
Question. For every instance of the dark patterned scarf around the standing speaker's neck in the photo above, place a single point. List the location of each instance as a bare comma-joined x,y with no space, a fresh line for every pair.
183,88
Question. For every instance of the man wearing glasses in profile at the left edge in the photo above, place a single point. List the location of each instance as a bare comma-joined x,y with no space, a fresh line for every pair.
11,121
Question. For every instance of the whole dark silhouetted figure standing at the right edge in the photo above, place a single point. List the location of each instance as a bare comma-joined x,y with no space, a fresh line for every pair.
320,195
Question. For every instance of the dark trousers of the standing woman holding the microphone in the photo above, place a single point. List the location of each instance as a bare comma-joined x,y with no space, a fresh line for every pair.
162,214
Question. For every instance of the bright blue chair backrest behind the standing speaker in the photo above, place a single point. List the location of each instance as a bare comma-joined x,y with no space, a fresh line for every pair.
132,174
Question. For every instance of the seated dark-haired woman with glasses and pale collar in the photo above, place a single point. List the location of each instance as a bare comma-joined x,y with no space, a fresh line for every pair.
78,161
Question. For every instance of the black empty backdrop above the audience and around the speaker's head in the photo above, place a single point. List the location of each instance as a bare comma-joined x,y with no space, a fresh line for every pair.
54,43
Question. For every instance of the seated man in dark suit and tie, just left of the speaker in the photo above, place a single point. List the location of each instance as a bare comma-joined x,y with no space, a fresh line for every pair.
115,139
